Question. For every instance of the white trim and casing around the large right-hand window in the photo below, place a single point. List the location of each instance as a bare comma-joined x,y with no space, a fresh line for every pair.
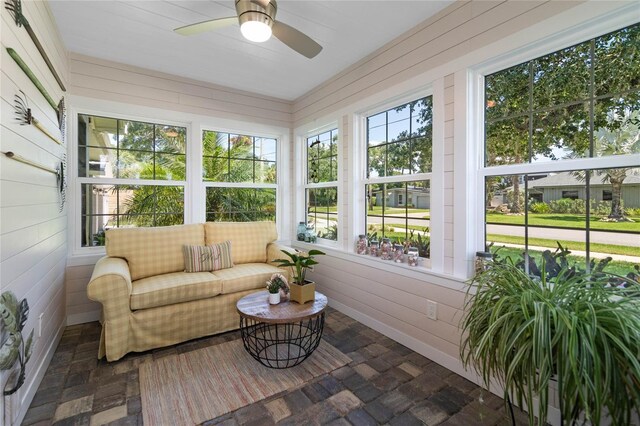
469,91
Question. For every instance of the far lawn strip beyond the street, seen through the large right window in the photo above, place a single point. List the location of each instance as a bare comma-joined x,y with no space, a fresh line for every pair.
565,221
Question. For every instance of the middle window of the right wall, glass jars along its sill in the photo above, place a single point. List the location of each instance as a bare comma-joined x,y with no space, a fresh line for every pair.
399,155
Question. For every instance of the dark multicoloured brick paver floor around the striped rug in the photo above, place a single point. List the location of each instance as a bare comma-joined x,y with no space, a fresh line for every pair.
386,383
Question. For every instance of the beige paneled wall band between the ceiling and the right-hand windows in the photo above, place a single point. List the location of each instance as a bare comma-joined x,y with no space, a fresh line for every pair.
454,32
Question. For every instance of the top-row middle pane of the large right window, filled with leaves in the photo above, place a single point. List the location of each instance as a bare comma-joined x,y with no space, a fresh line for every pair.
562,76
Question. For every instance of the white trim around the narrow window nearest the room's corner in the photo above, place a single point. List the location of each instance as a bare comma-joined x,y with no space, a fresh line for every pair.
301,149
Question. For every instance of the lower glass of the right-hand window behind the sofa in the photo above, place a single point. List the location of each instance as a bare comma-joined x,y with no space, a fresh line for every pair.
240,204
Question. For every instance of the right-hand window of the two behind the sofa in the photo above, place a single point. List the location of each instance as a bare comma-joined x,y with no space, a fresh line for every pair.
239,174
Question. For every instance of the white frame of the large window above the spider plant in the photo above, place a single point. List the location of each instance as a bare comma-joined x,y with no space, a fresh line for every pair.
477,171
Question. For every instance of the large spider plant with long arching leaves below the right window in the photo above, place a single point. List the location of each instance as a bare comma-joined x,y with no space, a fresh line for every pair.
579,329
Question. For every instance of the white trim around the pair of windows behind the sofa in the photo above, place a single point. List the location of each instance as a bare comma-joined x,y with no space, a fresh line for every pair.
194,188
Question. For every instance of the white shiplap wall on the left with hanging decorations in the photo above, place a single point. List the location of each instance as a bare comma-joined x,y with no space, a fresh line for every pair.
32,228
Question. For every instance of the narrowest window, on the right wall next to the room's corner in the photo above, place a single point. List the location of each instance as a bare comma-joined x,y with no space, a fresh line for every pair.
321,188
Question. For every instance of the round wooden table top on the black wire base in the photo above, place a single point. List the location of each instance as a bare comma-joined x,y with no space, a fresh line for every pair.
256,306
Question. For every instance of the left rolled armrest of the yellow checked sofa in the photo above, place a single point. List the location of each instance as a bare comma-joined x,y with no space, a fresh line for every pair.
110,285
